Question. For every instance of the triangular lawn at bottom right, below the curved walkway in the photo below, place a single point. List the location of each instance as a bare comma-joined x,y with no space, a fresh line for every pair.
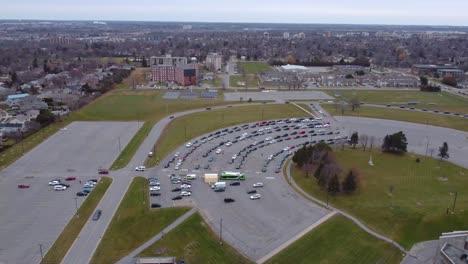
338,240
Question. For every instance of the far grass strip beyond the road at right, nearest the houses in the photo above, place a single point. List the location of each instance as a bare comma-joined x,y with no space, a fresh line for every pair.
443,101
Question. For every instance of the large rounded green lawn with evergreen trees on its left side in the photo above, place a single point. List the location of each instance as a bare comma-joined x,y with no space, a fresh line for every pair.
399,197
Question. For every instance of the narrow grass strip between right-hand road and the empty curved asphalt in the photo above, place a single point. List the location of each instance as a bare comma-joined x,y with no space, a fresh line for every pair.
454,122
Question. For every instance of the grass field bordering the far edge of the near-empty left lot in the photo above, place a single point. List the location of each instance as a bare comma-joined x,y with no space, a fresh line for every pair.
117,105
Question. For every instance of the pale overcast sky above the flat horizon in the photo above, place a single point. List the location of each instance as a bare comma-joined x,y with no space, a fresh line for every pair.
400,12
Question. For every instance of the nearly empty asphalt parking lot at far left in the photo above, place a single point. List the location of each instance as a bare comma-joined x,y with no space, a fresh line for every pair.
36,216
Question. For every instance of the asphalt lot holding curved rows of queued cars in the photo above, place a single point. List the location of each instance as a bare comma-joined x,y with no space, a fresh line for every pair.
255,227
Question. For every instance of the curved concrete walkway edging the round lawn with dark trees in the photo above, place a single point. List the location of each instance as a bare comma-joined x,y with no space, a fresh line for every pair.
352,218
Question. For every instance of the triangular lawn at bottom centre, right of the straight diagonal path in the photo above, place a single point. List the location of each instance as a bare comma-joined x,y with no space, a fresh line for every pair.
194,242
